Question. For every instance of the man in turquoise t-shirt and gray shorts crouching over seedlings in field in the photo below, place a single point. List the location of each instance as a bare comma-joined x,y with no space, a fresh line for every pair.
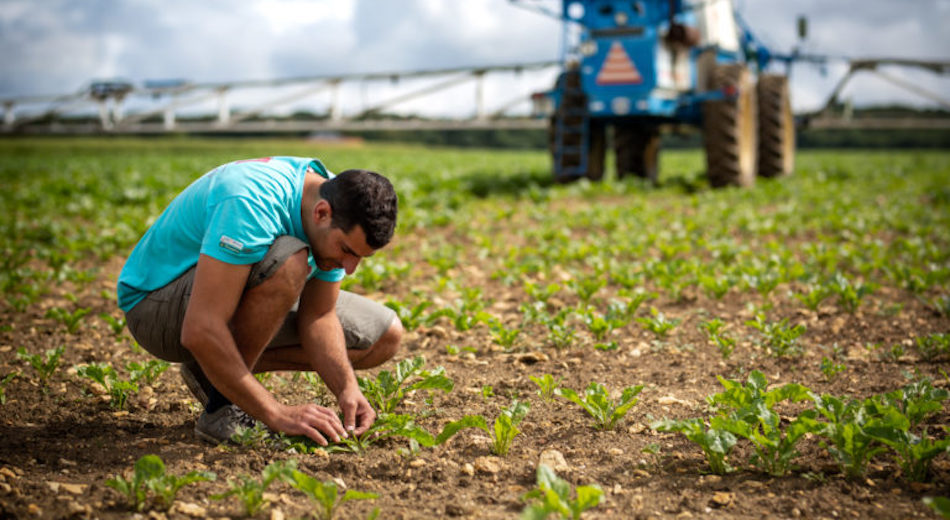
241,274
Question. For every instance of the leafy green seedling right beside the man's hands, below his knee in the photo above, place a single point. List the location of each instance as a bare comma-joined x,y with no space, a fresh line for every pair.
390,388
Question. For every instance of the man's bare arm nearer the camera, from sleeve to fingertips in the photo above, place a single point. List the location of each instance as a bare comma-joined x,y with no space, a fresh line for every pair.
215,296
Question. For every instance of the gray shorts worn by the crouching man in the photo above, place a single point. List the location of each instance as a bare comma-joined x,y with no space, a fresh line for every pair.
155,322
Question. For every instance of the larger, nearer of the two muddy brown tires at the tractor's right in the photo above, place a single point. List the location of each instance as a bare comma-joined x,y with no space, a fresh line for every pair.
729,129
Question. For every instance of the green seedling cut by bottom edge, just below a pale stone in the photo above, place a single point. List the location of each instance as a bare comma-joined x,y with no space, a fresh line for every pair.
553,495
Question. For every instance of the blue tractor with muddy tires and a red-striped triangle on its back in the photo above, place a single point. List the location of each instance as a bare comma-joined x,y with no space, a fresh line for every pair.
639,66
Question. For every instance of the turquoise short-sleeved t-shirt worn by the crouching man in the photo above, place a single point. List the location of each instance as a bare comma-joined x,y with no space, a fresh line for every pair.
232,213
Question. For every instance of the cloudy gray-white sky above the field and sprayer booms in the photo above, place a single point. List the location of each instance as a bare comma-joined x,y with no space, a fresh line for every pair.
59,46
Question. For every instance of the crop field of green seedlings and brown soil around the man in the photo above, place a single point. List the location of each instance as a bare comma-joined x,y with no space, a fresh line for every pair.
791,340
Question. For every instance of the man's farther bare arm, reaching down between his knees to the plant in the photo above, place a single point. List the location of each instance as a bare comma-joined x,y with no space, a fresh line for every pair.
322,337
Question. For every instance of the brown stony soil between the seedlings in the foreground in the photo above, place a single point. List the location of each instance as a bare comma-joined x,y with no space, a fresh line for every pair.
61,441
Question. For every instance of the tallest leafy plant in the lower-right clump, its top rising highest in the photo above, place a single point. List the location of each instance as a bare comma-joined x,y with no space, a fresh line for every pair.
746,410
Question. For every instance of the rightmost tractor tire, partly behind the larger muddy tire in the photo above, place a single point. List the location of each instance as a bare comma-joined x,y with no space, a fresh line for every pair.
776,127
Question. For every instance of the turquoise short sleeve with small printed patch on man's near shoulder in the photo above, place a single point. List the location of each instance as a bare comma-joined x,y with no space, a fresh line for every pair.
237,232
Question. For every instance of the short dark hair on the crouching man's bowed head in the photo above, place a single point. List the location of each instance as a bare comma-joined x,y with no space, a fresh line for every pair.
365,198
